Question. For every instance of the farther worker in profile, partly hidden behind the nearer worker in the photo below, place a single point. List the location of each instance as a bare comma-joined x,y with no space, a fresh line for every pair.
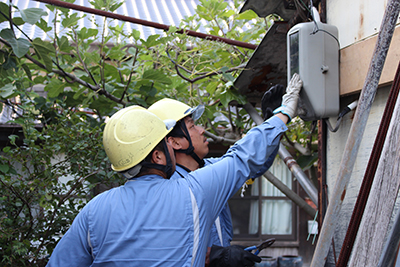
191,147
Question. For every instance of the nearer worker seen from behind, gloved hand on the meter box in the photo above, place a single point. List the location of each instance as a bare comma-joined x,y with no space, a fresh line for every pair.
153,220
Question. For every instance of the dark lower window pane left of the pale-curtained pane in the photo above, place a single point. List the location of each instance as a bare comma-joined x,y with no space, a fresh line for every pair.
244,214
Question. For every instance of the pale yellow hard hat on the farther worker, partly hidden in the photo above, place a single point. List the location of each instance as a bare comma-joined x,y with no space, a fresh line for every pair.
173,109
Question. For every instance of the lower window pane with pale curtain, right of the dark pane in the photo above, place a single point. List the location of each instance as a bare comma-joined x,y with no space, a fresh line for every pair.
276,217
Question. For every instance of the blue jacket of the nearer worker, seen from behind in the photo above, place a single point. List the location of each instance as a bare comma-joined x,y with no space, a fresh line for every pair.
151,221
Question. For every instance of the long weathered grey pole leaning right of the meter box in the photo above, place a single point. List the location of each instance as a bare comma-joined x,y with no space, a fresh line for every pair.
356,132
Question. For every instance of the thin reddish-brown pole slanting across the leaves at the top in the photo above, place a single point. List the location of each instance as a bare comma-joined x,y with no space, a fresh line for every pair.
147,23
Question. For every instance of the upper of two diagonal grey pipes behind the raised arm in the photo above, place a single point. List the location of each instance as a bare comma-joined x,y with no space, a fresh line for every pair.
303,179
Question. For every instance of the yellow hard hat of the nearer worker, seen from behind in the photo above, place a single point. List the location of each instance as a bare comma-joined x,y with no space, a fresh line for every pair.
131,134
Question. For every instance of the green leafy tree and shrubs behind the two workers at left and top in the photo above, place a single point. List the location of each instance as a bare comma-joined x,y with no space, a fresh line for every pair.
49,168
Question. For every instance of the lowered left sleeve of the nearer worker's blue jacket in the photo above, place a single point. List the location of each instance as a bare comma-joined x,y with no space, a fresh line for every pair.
74,247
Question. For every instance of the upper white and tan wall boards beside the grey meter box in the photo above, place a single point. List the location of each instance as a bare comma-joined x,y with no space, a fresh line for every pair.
359,25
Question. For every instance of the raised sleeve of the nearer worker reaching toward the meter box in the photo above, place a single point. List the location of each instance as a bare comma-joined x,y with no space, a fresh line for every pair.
214,184
